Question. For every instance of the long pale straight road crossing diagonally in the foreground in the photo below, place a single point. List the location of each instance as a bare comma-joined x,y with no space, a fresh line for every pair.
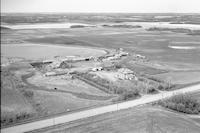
96,111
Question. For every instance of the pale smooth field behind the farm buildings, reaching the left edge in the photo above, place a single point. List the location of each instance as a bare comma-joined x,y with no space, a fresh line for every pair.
36,52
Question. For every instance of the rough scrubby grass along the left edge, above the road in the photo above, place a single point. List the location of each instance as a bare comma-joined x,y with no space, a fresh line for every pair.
15,107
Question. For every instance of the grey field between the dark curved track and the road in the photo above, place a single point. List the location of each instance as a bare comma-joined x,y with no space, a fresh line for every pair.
56,103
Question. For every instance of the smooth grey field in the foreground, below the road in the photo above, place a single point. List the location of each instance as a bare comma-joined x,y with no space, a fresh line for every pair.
139,119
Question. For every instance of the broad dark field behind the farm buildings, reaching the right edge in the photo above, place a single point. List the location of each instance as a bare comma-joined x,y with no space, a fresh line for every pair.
155,49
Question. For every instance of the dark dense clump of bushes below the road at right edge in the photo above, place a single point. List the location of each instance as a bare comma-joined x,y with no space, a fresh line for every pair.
182,103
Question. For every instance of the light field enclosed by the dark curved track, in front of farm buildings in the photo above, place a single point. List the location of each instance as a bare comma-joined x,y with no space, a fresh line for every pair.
64,84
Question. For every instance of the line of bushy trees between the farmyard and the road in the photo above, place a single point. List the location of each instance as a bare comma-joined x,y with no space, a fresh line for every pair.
125,91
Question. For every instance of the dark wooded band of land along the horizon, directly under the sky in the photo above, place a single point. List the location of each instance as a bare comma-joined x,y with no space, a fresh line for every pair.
96,17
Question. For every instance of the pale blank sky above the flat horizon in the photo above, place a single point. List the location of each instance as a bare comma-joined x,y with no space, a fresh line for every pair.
131,6
